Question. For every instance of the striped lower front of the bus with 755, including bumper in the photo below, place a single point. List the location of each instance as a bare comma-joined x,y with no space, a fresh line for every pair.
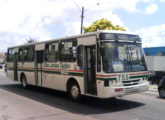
137,80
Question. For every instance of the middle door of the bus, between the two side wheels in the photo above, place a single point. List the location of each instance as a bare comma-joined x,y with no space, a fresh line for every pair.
38,67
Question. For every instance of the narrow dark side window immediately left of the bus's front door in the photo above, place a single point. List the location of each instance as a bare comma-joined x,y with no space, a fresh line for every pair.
80,56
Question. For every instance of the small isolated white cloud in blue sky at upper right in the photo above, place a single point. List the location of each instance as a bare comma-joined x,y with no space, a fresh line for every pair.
152,8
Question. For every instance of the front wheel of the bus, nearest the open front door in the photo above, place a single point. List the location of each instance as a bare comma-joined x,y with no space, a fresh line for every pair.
74,91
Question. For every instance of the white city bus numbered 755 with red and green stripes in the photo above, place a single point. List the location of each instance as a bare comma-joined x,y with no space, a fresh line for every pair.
101,64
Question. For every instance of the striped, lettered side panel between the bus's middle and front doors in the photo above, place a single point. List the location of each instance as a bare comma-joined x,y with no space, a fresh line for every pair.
57,74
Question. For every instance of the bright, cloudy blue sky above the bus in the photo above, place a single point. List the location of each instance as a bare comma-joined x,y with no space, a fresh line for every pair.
49,19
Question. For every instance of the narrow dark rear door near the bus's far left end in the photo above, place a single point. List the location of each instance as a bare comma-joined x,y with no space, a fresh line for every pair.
15,66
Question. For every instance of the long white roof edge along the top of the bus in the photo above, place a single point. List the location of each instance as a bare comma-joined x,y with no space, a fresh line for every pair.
76,36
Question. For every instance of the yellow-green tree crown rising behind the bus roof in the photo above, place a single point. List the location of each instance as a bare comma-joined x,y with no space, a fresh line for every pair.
102,24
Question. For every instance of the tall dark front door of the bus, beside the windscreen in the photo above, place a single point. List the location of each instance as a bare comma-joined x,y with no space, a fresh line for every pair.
90,70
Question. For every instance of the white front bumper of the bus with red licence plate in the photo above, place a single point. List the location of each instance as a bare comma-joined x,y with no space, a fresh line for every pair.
110,92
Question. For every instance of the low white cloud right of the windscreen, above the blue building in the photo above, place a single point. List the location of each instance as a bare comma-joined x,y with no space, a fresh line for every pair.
153,36
